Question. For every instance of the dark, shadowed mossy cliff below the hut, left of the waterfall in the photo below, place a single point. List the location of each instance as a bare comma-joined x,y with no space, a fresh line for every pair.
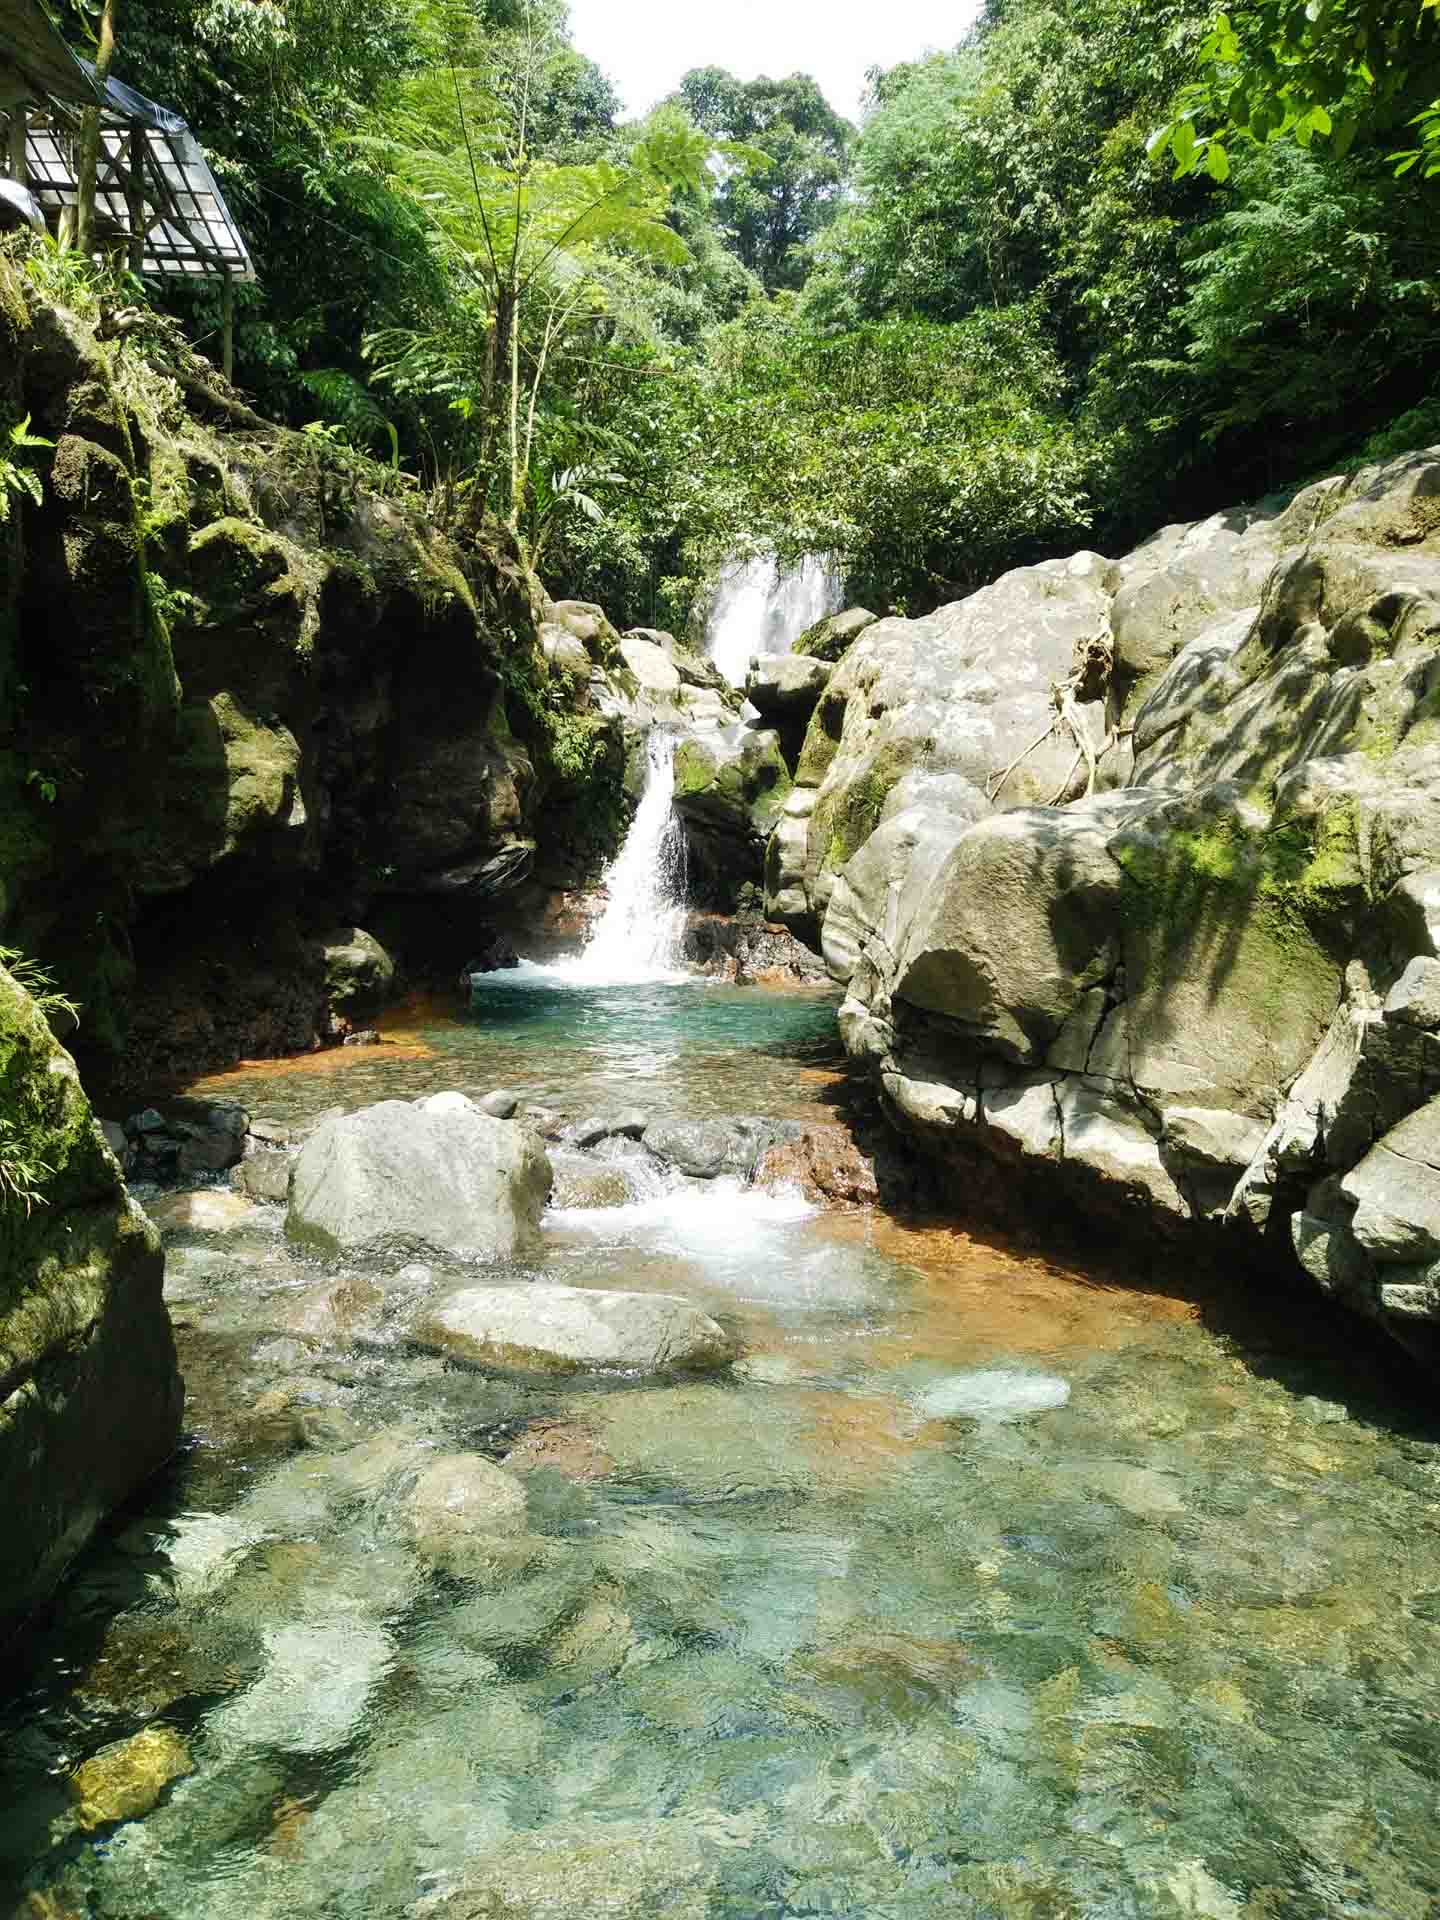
249,694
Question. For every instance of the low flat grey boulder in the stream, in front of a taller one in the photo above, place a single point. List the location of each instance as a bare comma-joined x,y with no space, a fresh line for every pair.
575,1330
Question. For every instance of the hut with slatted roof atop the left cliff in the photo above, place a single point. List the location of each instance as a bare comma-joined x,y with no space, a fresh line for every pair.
158,206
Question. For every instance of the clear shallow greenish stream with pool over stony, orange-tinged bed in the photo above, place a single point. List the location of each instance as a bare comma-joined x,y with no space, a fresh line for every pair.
982,1589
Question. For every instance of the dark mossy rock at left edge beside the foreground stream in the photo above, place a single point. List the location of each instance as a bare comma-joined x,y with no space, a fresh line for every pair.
89,1387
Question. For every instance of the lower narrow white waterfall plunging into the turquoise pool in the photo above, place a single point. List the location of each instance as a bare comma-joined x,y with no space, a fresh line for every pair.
638,936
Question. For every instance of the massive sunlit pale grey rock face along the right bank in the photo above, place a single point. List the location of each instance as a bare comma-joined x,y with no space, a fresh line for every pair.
1201,990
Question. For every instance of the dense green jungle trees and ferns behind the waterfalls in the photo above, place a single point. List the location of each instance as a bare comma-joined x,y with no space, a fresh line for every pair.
1022,308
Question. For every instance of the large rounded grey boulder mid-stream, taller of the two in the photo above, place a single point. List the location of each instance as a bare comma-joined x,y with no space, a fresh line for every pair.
439,1174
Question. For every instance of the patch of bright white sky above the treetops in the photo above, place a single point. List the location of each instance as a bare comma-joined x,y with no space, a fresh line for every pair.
648,45
